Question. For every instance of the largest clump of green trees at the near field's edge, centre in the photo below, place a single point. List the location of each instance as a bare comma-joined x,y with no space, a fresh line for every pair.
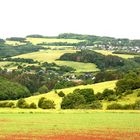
81,99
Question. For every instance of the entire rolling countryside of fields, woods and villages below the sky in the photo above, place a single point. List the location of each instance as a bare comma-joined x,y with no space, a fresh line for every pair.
69,87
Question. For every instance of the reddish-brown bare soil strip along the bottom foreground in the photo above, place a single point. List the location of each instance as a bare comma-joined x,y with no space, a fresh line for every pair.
91,135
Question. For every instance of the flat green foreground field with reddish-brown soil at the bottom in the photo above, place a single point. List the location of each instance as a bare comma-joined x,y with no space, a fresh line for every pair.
70,125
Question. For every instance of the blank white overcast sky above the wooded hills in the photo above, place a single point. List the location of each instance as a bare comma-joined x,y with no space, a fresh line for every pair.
115,18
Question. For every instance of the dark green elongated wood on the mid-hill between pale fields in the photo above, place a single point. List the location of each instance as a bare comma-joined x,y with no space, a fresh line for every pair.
100,60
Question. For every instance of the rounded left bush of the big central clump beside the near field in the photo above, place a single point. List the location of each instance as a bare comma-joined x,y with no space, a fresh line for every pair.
72,101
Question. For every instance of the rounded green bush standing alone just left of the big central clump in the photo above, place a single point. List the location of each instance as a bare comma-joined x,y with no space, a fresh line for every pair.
46,104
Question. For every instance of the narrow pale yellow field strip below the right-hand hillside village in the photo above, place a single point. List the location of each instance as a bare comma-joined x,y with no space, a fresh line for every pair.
126,56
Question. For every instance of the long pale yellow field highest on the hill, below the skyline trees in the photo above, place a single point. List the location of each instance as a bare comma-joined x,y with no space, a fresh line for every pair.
52,40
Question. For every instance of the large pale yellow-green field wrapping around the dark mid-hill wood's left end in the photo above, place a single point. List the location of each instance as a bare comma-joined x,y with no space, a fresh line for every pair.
52,56
